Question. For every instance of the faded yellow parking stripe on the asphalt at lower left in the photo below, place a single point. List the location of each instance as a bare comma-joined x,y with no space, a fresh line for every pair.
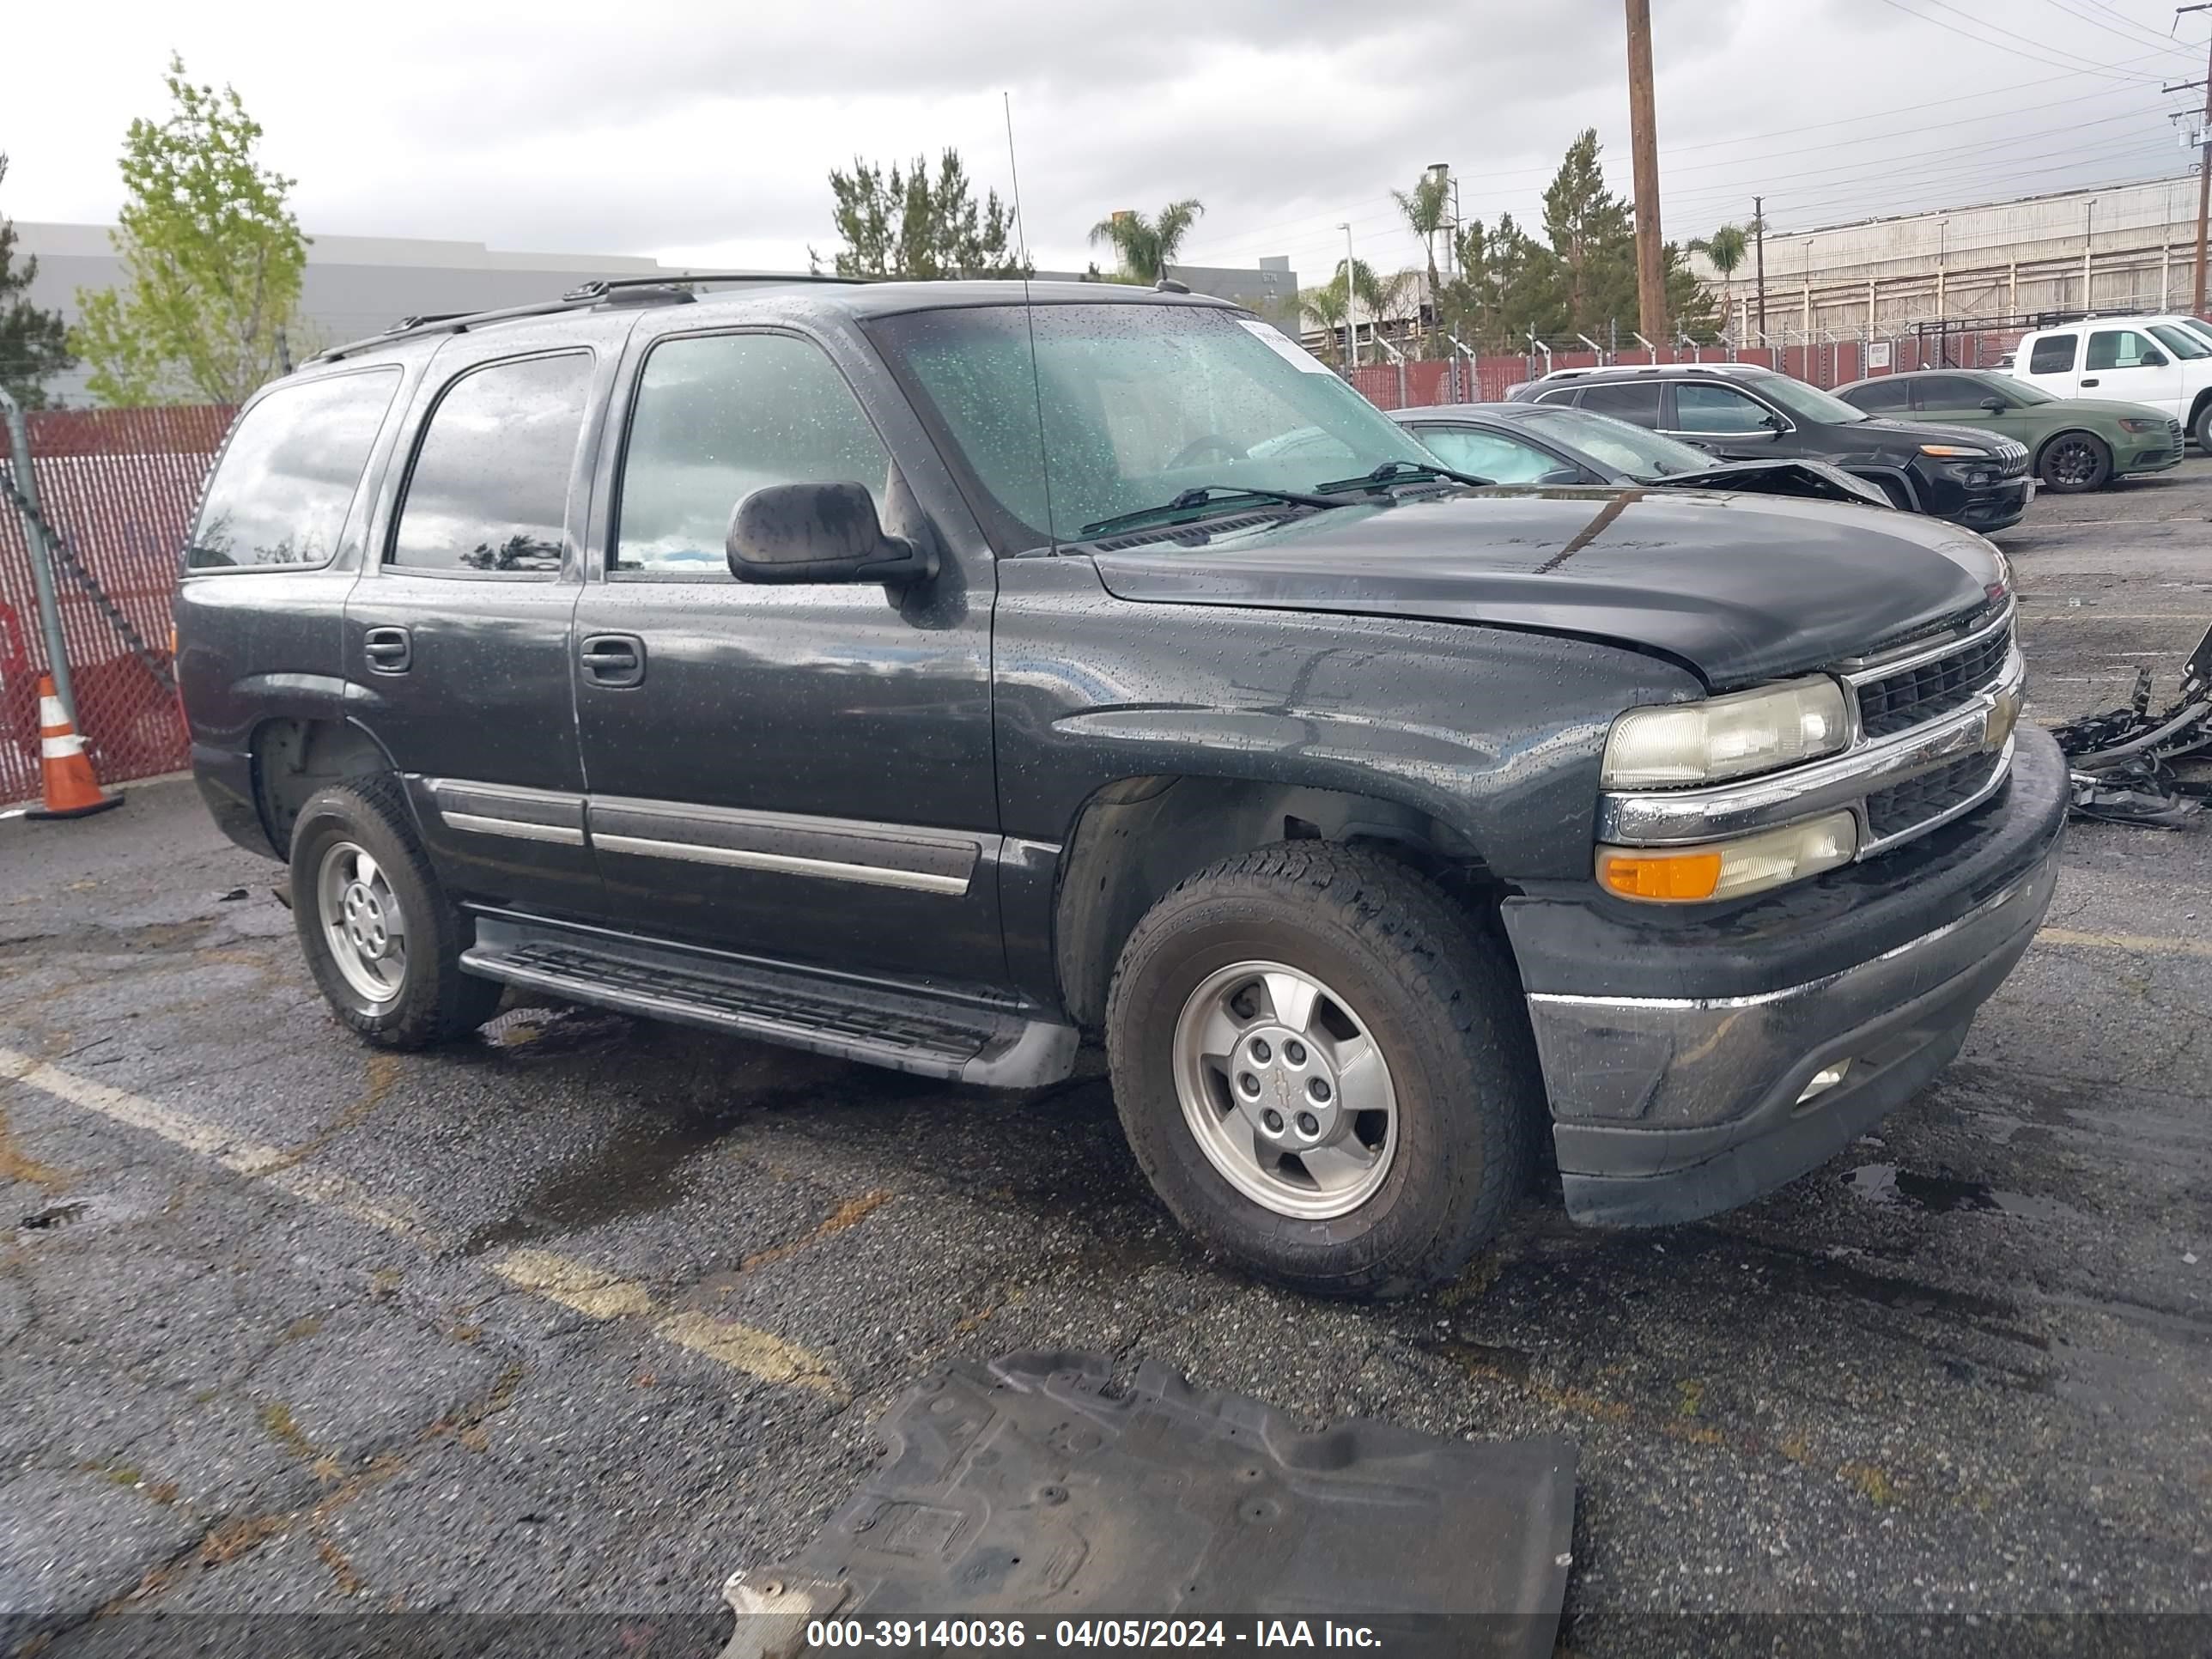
559,1280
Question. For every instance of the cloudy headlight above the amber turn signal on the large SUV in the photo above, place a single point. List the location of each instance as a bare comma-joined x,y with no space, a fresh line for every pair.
1726,738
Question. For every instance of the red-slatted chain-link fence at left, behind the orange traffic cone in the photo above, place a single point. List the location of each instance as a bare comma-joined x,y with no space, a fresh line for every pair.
116,490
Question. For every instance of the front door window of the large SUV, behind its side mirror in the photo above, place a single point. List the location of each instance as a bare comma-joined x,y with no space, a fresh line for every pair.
718,419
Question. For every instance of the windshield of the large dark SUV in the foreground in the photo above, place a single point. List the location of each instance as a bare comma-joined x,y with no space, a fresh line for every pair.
1140,404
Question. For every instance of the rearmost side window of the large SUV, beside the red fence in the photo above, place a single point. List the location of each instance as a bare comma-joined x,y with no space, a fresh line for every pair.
289,474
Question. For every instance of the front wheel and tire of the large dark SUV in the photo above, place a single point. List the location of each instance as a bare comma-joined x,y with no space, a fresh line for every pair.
1324,1072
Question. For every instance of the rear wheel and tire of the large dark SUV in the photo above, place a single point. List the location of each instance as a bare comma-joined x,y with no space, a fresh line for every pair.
379,932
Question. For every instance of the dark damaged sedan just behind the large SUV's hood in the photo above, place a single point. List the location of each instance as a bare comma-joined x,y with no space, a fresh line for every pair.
1541,444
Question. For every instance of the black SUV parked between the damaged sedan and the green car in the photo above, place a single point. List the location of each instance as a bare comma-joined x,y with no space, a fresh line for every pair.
1746,413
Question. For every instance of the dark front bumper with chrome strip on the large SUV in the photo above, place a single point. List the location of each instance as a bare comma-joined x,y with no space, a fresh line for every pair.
1678,1054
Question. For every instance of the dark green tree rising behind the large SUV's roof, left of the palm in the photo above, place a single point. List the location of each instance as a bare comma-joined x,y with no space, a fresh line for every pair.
908,225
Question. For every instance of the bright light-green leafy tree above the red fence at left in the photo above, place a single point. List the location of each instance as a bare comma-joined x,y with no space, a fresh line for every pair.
211,258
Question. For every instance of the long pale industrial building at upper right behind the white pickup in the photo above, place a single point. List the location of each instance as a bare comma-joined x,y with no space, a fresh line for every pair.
2111,249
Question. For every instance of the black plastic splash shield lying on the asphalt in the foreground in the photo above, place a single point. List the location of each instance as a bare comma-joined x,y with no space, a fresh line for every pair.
1032,1492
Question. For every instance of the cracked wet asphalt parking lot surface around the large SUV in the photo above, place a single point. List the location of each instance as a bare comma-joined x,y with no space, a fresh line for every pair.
589,1313
